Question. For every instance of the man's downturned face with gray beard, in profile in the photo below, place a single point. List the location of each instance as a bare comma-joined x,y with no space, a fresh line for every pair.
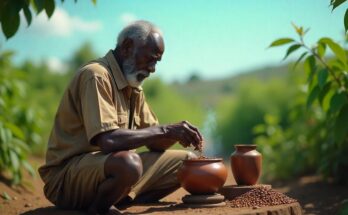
142,62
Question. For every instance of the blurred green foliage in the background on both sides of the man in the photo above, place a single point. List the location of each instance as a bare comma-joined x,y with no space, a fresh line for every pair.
296,116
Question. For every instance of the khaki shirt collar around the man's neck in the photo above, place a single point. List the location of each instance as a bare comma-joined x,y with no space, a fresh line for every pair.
120,79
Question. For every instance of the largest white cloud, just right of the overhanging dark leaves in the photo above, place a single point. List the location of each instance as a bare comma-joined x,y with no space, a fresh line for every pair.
61,24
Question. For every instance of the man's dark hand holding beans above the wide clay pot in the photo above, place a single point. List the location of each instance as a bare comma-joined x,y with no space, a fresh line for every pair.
185,133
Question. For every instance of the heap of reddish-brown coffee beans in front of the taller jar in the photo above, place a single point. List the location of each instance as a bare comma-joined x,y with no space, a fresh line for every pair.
260,197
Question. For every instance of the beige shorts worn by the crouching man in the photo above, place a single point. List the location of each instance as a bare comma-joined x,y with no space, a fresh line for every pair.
81,180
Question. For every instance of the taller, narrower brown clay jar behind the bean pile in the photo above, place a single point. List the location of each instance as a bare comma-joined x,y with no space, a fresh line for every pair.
246,164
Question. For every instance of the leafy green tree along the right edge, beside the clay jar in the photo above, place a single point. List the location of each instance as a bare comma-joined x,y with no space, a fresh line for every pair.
326,136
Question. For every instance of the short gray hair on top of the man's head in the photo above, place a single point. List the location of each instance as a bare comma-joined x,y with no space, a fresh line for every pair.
138,31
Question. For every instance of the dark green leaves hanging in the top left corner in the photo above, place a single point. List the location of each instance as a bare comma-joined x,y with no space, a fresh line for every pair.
10,10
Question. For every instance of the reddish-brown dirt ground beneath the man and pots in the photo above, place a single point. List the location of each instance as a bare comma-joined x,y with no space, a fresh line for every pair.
314,195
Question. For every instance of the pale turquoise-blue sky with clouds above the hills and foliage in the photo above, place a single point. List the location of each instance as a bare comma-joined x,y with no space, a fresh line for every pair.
216,38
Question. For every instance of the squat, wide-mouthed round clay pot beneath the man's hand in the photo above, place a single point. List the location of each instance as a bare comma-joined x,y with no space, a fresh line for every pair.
202,176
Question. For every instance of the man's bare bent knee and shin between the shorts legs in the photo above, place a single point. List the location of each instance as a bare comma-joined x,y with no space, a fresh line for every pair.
122,169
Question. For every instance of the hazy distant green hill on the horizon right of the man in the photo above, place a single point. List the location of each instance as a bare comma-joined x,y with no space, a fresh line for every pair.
210,92
